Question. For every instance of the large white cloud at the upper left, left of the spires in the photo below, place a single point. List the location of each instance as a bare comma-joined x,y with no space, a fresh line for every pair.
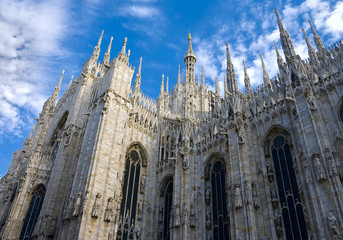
30,33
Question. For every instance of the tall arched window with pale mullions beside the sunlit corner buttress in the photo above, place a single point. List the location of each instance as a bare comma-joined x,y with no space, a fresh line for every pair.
130,194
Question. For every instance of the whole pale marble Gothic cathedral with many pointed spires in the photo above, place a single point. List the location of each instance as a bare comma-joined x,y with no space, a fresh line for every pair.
107,162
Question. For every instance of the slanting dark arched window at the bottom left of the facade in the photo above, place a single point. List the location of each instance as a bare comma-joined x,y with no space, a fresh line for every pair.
33,213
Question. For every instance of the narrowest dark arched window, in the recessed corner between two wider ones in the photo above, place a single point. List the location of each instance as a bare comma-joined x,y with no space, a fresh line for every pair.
168,201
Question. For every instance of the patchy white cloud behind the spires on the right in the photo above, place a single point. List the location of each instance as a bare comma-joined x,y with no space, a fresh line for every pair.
261,32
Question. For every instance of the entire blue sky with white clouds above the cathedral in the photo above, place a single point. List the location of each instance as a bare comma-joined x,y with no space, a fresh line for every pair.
38,39
